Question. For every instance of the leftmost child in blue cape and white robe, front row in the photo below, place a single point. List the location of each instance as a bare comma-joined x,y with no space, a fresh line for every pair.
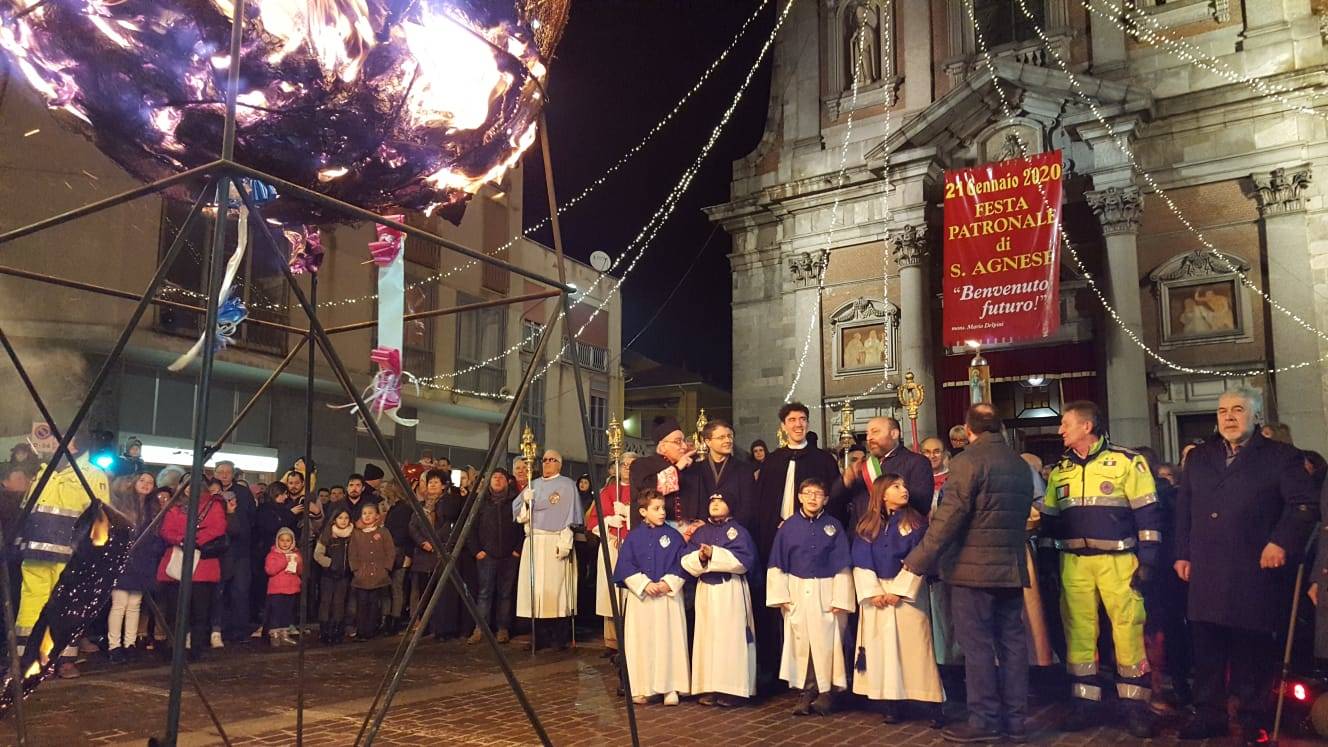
650,567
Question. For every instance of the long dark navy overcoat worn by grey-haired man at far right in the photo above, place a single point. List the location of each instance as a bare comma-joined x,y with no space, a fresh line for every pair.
1228,515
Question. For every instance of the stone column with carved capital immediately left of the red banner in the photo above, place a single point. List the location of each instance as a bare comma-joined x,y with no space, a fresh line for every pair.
909,248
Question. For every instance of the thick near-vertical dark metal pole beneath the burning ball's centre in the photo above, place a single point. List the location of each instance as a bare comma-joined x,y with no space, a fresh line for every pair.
197,484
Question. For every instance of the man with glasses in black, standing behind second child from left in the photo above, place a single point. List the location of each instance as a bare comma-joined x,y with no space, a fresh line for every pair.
720,473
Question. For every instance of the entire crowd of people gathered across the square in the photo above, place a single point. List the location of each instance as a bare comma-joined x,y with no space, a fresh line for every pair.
874,576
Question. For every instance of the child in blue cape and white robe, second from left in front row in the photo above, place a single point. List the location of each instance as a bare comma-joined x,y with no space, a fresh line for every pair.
720,555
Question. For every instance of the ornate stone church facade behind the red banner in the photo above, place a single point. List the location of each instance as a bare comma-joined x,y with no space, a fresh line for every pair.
1173,240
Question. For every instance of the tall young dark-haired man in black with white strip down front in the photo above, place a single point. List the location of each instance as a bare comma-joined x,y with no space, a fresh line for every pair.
776,499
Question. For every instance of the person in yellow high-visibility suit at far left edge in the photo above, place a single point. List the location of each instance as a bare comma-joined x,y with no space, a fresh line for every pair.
48,539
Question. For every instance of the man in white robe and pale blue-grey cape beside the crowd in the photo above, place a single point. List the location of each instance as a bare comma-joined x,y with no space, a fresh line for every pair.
546,588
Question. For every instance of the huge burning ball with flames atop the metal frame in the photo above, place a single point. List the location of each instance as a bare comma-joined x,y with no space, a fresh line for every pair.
403,104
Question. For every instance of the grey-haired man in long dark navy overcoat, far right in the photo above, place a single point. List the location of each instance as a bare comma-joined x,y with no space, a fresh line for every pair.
1246,506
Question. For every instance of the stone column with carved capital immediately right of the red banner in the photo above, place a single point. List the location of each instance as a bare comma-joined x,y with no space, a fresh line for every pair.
1119,211
